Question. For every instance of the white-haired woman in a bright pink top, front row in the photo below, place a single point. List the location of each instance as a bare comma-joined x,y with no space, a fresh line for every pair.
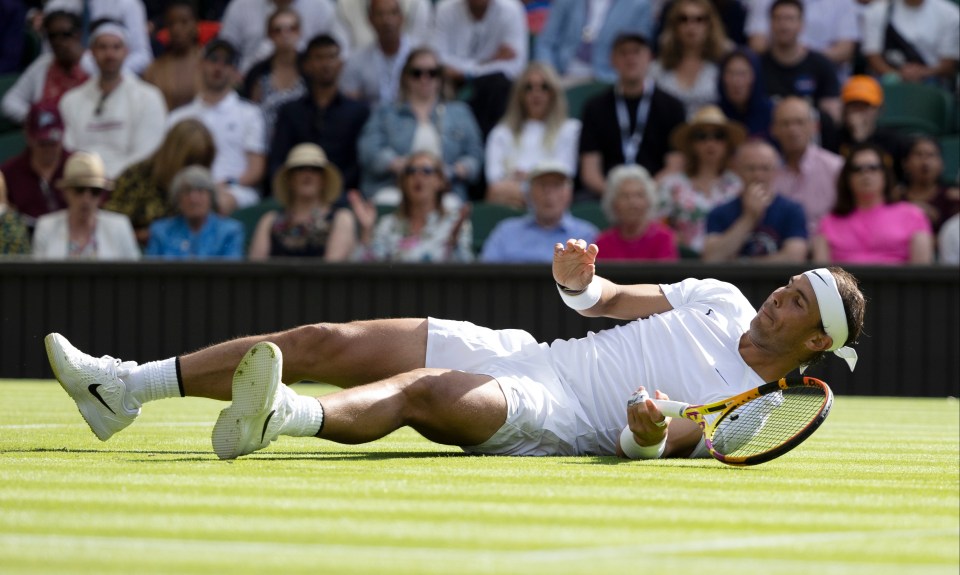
635,235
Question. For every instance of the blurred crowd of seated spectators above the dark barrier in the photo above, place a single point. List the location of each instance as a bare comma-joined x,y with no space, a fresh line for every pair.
482,130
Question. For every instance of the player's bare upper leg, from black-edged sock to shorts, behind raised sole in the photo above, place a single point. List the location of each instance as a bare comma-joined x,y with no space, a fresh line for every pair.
342,354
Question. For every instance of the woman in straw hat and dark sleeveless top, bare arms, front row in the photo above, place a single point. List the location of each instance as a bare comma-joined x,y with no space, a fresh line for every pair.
307,185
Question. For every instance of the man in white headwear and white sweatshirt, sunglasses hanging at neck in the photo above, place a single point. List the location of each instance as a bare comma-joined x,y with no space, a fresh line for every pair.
115,114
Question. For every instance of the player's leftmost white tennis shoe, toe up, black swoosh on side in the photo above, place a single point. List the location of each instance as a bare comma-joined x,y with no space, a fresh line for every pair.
95,384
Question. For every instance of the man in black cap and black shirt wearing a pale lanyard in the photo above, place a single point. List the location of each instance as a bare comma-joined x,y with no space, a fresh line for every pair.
631,122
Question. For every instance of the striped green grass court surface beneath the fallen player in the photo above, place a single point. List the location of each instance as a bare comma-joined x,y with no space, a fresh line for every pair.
156,496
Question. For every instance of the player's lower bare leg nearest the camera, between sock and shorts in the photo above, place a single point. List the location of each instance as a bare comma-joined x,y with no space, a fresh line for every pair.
445,406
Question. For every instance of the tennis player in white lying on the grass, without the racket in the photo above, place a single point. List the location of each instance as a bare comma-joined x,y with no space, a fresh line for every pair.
494,391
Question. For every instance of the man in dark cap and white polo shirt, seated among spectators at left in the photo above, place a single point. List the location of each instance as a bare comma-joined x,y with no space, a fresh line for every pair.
236,125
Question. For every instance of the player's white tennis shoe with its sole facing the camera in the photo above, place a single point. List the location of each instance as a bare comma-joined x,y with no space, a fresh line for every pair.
258,409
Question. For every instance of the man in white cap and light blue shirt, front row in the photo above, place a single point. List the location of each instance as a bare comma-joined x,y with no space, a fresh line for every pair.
531,237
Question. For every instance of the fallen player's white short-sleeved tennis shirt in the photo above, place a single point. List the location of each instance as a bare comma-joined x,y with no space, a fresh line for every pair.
691,353
